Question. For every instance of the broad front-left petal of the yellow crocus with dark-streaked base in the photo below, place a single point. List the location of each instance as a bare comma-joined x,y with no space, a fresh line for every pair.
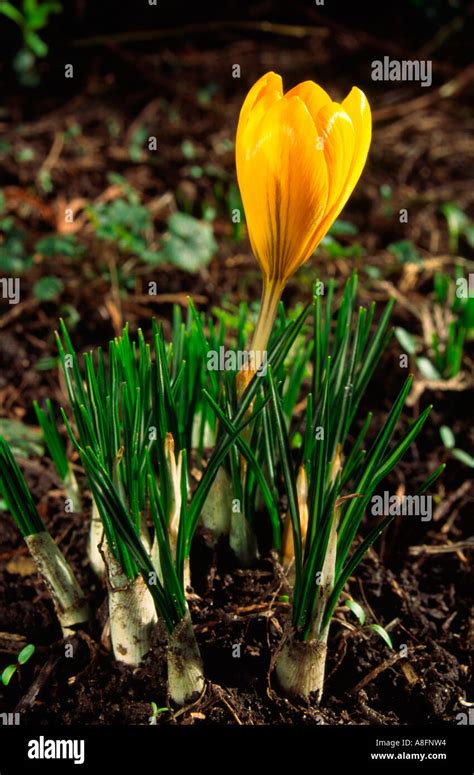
284,184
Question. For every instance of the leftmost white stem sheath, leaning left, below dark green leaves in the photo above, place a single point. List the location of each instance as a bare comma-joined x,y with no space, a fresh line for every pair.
68,597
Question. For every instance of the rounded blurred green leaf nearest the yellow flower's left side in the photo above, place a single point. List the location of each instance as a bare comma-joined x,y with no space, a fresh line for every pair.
189,243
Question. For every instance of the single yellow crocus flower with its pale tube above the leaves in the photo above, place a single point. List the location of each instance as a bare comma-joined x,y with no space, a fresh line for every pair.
299,156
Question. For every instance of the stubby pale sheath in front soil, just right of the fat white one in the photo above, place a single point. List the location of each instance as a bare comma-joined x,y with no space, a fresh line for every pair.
185,670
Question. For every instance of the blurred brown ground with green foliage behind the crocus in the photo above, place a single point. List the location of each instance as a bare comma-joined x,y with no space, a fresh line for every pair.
119,194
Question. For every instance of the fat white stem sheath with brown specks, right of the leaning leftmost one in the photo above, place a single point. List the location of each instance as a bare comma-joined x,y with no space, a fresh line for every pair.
132,614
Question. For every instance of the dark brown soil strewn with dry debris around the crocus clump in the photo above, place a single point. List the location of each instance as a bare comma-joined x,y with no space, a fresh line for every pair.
417,581
